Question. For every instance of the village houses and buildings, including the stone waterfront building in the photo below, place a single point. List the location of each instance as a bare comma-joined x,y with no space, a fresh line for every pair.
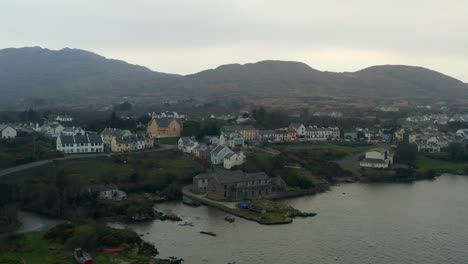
236,141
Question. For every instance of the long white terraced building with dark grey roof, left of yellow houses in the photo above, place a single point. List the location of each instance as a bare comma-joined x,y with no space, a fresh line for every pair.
80,144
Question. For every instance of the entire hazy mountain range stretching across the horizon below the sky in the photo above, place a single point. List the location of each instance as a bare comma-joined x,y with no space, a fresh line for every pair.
35,76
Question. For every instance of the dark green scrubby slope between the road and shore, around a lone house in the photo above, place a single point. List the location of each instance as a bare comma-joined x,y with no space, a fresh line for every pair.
63,188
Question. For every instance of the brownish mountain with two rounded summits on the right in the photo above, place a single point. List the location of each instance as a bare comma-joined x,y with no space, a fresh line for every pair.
282,78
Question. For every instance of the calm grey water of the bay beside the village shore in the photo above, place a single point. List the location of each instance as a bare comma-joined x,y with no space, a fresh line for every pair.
423,222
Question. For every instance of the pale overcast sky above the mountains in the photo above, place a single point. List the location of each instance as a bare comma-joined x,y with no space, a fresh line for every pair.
187,36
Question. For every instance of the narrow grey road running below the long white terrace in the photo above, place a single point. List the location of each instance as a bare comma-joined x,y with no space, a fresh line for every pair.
75,157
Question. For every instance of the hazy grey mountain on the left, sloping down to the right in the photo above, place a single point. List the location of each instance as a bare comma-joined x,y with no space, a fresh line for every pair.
37,73
